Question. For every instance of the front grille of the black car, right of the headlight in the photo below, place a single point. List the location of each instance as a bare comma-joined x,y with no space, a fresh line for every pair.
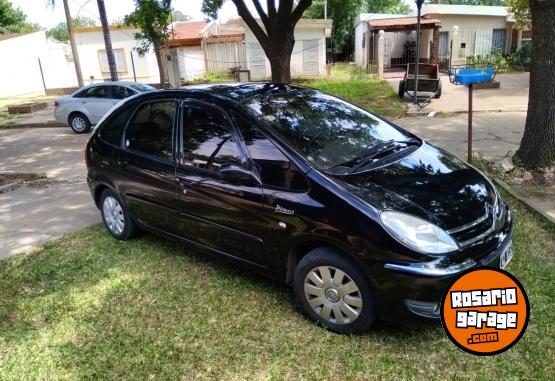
479,229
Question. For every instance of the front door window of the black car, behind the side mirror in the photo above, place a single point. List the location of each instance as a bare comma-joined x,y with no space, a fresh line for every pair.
207,140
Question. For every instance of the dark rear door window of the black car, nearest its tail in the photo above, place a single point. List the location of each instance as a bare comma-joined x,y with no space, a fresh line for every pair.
150,130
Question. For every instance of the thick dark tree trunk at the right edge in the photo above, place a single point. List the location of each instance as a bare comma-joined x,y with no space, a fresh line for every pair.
537,148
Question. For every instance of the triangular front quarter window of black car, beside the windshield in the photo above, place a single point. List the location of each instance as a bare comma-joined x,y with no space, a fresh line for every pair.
275,168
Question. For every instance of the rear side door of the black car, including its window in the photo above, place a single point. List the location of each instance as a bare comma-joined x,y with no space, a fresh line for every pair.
145,166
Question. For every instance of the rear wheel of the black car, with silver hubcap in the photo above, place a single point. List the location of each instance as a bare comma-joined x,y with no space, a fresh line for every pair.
129,229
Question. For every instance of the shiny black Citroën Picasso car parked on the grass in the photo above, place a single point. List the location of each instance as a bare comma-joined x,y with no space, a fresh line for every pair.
362,218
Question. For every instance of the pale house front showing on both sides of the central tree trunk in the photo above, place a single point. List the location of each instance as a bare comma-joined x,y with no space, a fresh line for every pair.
309,52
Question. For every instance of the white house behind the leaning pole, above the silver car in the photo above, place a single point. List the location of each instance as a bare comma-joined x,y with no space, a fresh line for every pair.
129,64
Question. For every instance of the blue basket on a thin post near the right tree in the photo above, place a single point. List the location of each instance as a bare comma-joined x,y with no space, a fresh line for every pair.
469,75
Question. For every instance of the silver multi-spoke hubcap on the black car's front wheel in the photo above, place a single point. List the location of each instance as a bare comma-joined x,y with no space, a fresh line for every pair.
333,295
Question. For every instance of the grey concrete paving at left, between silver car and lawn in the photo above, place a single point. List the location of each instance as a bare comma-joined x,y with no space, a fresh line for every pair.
30,216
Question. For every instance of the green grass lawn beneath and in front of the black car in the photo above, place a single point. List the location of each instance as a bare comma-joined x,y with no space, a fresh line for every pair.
89,307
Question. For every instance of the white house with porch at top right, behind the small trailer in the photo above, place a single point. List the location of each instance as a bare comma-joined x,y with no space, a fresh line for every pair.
474,30
